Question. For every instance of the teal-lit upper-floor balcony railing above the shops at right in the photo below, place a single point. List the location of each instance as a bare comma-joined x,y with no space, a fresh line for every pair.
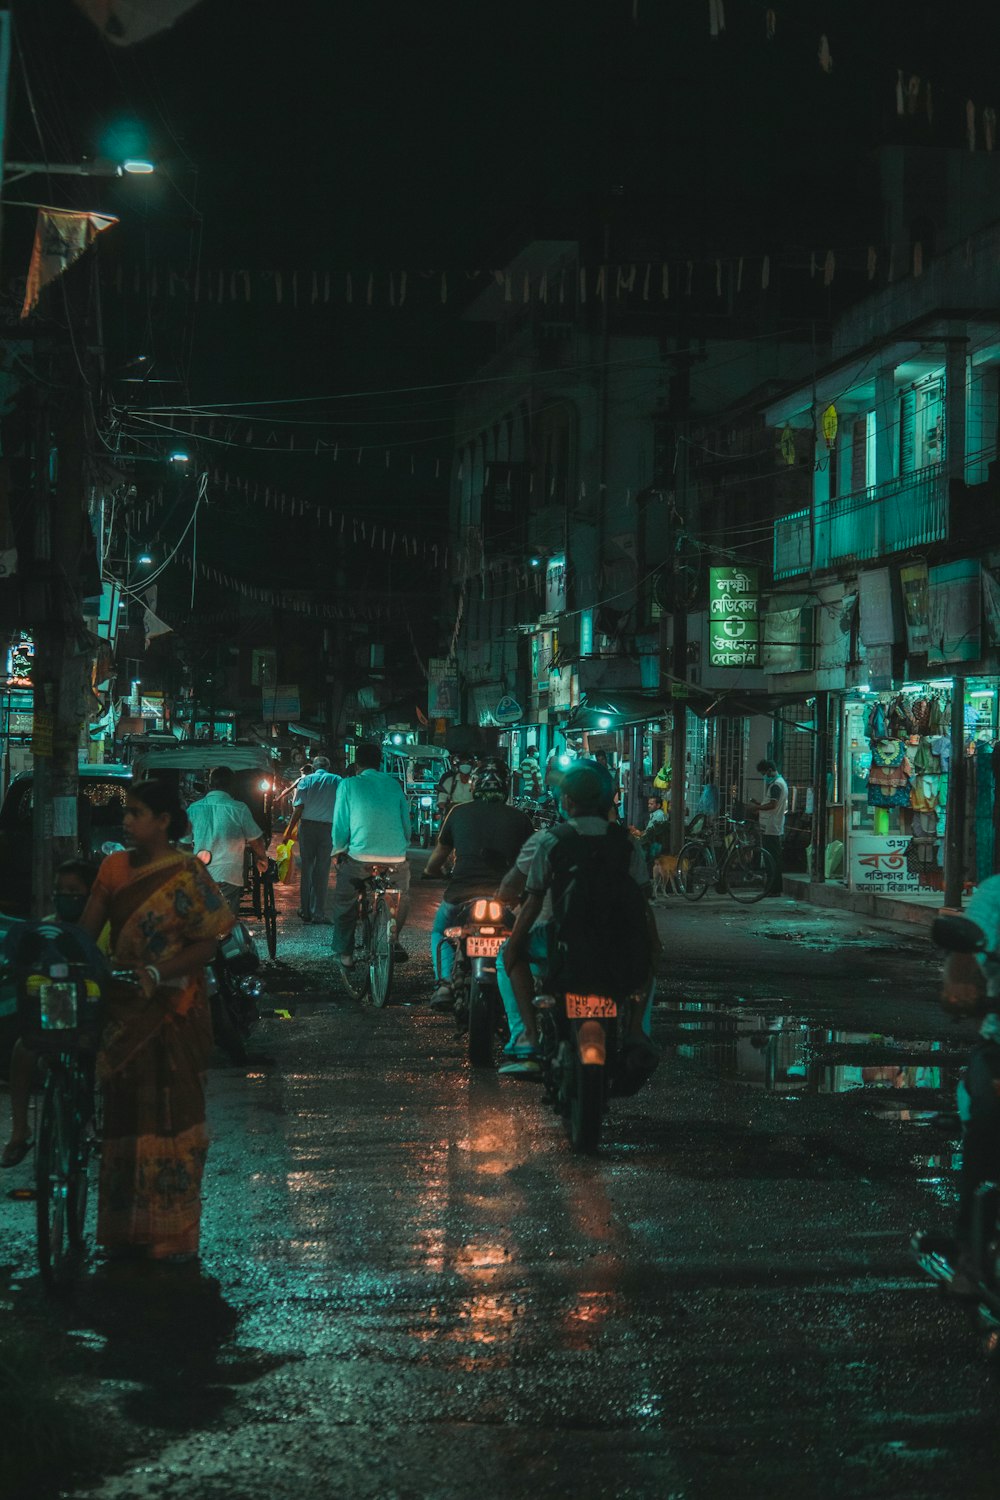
906,512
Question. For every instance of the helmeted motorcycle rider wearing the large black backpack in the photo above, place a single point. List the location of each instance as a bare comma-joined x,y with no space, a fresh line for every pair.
587,797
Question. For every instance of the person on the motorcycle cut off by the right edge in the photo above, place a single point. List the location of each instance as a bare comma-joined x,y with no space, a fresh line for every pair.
972,989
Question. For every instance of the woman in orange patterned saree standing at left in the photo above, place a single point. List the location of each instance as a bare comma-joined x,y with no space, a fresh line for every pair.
167,919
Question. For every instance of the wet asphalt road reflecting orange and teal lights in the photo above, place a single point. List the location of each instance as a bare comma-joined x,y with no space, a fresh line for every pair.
415,1289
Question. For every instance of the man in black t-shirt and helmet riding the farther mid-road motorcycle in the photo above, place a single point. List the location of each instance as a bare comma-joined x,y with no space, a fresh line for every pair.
485,838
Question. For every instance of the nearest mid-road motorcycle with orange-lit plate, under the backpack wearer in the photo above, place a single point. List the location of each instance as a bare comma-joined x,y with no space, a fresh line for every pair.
590,1052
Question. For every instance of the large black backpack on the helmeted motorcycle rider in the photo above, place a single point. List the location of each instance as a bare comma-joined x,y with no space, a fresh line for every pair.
602,937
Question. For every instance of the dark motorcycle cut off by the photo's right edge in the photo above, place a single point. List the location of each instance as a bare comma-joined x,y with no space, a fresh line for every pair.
971,1270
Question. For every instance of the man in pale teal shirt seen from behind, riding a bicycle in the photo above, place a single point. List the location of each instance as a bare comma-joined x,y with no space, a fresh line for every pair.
371,826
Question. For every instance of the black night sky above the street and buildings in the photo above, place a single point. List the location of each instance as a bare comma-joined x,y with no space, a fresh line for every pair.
391,133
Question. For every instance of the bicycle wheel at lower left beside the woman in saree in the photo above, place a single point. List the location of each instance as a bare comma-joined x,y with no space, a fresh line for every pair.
61,1198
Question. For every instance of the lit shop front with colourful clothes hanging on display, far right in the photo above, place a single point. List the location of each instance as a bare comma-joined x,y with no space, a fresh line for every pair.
896,799
